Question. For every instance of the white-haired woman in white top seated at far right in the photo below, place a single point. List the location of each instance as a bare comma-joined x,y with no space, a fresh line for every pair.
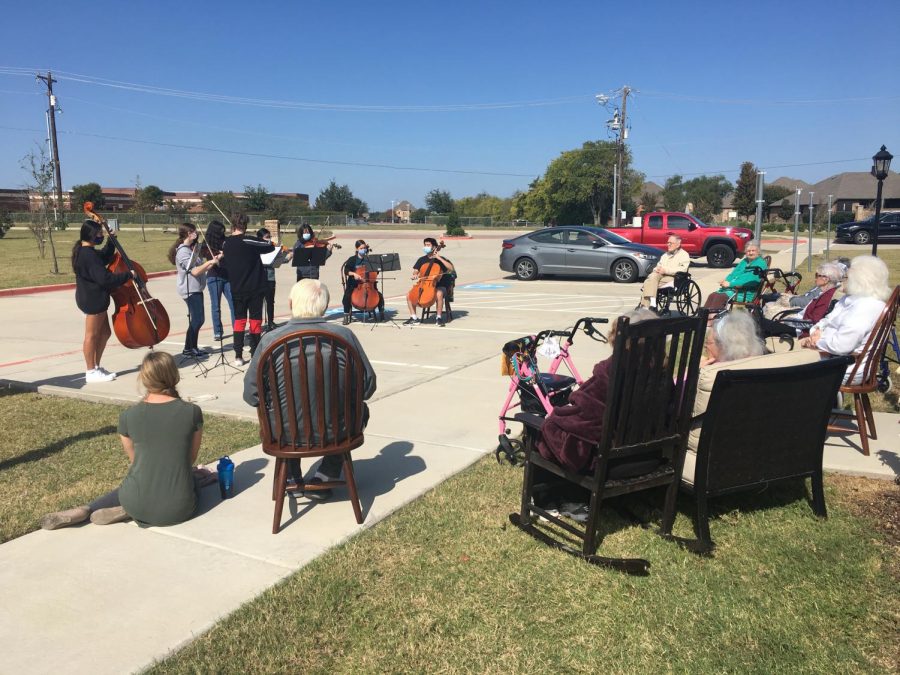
846,329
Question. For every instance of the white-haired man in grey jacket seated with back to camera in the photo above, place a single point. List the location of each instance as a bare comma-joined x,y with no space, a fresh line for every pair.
308,302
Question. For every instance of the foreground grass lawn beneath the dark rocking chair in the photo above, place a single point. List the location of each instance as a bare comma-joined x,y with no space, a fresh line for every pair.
446,585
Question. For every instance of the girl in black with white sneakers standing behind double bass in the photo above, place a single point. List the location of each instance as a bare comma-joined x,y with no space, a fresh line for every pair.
93,284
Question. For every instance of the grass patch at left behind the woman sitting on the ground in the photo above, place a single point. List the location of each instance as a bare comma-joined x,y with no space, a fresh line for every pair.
47,467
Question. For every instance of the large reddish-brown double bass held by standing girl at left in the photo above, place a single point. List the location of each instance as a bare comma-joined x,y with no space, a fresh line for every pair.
139,319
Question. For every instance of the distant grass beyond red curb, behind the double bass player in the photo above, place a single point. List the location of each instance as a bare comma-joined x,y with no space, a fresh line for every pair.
22,265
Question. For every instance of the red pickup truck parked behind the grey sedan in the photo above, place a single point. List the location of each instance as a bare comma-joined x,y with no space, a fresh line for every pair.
720,245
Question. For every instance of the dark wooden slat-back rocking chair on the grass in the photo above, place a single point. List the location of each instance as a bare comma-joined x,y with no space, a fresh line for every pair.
653,379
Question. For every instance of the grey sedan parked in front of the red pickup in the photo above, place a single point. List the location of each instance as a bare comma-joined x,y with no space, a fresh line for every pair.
577,251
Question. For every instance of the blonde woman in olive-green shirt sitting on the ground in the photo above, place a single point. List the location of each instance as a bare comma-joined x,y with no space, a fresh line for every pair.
161,436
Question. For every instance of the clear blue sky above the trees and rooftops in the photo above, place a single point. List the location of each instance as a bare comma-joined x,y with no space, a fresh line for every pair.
717,84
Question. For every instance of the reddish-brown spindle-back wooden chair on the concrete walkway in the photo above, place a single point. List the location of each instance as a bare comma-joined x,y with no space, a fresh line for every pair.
299,417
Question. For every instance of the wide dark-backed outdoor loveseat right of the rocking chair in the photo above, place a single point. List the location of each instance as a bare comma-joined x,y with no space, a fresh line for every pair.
791,406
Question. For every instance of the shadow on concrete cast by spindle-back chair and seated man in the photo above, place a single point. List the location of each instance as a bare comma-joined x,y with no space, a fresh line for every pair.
374,477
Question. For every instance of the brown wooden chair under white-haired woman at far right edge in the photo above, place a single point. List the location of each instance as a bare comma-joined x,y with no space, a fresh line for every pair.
866,369
